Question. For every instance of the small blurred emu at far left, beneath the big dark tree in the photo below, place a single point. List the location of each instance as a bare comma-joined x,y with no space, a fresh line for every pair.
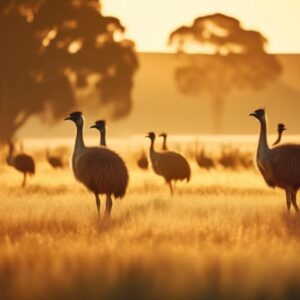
21,162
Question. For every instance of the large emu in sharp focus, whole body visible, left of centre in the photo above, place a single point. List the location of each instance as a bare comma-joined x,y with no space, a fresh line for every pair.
101,170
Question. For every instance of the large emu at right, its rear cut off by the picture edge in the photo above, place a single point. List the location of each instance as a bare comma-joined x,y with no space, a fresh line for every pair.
279,166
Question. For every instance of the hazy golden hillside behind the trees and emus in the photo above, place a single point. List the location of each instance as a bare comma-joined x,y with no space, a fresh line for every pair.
156,97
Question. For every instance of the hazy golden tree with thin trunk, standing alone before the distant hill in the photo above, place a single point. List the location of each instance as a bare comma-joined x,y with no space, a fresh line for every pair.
238,60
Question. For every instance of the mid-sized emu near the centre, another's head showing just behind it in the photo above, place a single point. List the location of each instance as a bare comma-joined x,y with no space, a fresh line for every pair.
168,164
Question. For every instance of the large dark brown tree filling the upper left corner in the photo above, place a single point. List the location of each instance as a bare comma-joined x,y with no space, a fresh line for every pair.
50,49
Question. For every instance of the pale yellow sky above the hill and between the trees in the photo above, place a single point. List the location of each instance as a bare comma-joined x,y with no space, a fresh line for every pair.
148,22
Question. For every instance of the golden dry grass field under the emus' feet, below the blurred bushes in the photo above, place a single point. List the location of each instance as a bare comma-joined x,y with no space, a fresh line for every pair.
224,235
